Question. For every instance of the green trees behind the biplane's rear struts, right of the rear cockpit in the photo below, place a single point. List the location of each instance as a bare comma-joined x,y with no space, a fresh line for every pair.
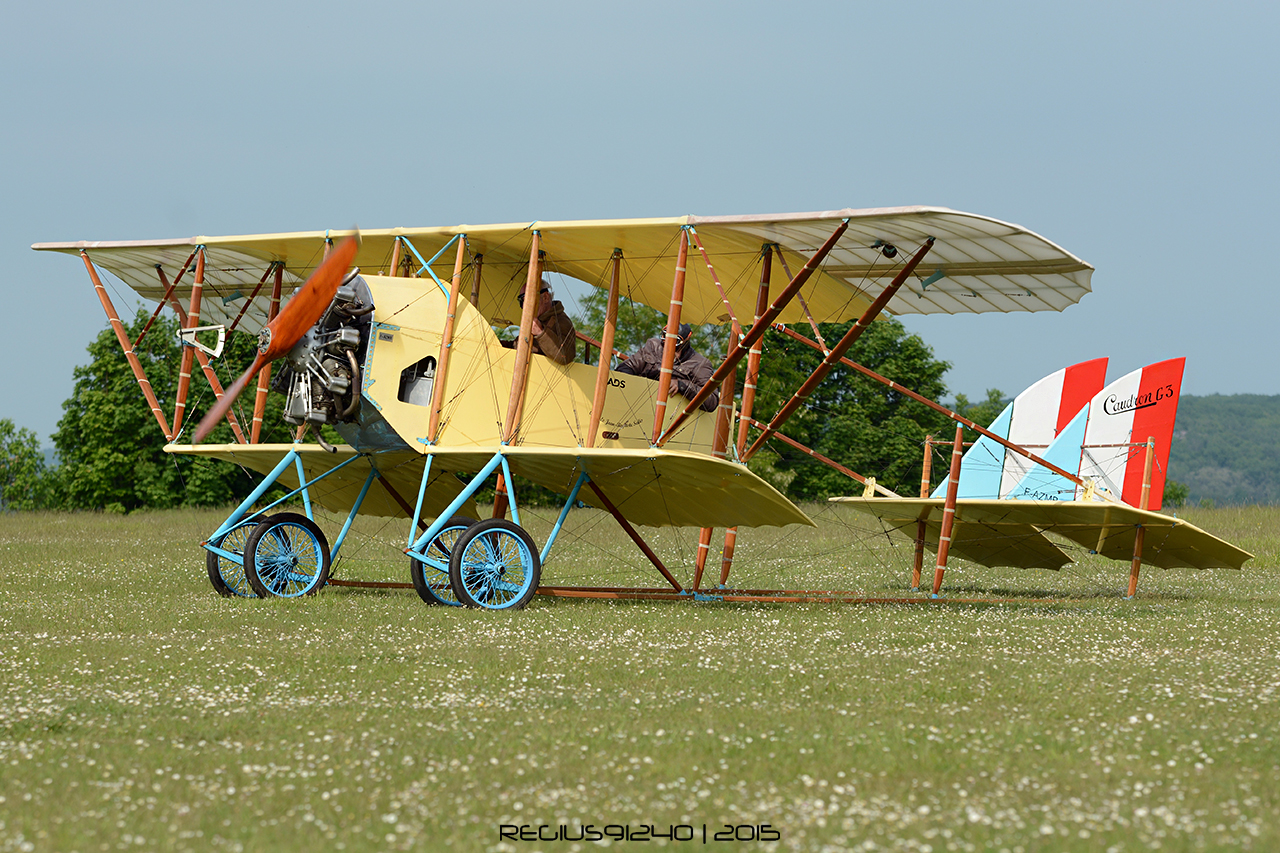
852,419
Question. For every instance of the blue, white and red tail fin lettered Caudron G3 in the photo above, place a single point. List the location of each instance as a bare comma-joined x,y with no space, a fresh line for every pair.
1104,443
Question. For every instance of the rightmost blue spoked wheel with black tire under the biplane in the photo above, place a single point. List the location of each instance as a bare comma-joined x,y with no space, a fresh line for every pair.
495,565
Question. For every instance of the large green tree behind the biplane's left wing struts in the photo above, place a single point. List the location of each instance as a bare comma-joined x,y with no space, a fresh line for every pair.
111,446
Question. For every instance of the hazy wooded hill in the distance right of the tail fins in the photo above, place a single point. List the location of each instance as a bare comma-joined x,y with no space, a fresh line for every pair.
1227,449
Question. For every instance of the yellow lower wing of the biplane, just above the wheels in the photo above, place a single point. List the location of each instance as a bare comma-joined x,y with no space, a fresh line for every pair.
650,487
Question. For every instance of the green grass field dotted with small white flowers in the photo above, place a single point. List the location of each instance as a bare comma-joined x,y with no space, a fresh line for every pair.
141,711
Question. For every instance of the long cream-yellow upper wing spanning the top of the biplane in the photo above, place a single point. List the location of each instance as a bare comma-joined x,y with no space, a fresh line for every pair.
977,266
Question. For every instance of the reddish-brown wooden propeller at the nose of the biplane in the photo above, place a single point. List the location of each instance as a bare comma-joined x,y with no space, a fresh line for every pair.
281,335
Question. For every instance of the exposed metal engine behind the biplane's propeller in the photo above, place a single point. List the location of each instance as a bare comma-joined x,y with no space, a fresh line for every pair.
323,377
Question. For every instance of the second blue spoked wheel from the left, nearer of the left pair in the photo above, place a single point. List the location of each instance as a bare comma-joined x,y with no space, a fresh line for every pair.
286,556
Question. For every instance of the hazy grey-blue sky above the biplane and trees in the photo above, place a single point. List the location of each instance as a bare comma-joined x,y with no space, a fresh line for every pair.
1139,136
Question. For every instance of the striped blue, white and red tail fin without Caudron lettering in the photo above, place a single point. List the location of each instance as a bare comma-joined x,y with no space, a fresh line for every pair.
1032,421
